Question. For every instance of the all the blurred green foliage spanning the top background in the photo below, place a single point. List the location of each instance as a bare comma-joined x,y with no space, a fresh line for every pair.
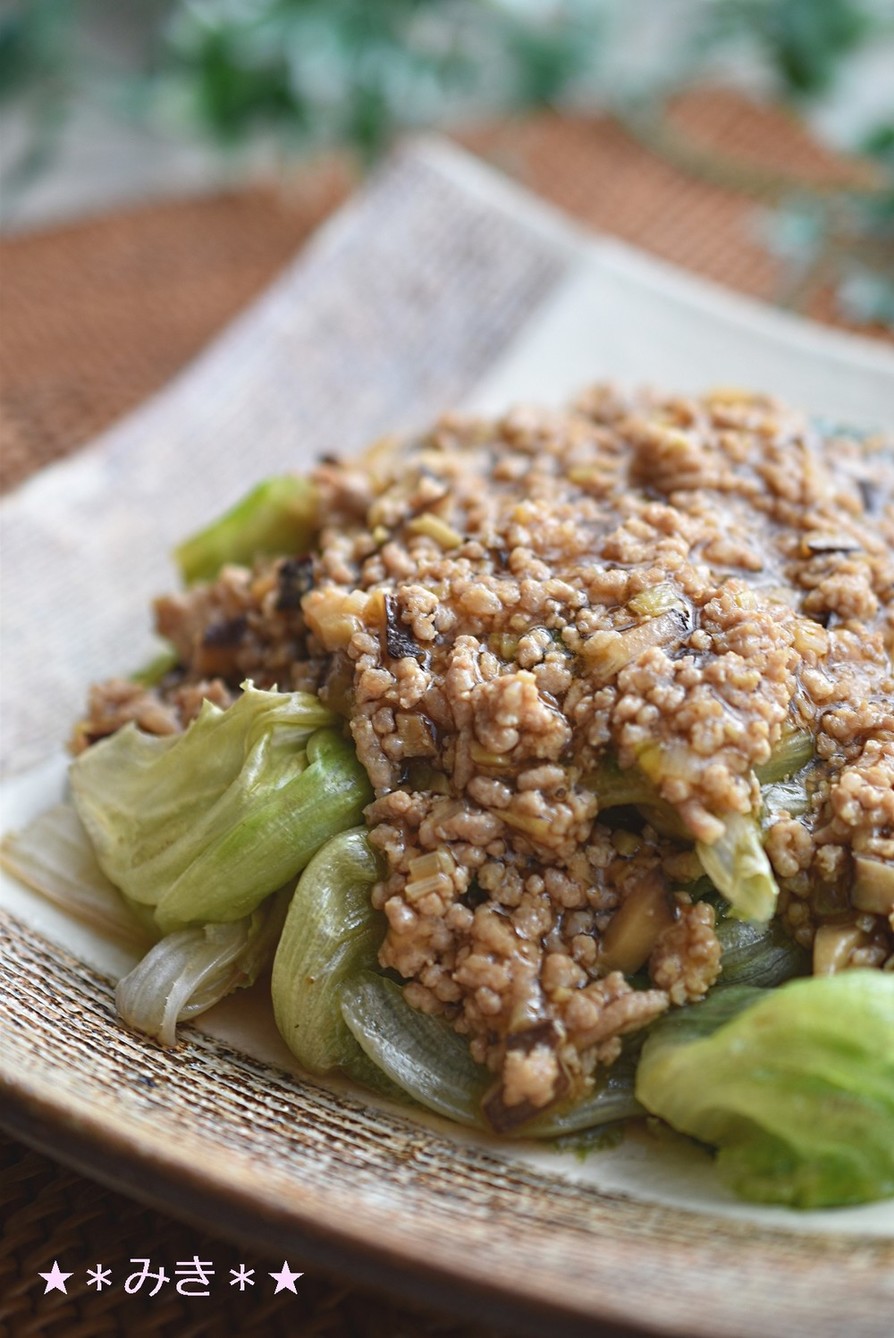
353,74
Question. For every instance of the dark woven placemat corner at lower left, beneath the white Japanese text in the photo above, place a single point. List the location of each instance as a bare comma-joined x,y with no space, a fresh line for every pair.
52,1214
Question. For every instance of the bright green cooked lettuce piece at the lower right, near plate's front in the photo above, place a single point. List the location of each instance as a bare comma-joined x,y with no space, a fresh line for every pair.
793,1086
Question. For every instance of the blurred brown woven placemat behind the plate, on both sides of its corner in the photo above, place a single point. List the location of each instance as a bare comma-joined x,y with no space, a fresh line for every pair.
101,314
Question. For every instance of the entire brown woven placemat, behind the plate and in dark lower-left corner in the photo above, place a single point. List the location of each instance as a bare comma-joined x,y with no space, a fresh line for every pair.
100,315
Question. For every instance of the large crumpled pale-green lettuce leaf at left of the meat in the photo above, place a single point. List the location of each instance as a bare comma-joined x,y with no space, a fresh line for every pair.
205,825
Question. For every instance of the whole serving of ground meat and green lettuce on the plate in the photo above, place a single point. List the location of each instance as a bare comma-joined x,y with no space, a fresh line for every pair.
576,729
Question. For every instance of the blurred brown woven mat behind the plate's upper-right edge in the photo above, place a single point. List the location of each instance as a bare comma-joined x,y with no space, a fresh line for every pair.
598,173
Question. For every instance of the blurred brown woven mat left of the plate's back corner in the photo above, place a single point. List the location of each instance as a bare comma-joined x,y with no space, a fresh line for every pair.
100,315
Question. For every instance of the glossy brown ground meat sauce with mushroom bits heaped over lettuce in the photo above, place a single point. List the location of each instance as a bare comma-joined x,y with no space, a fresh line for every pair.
528,620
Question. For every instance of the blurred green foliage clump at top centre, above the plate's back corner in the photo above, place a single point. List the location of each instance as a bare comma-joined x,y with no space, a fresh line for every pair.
357,72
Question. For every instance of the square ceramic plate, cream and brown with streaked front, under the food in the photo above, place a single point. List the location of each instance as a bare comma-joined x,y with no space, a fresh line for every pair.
440,284
